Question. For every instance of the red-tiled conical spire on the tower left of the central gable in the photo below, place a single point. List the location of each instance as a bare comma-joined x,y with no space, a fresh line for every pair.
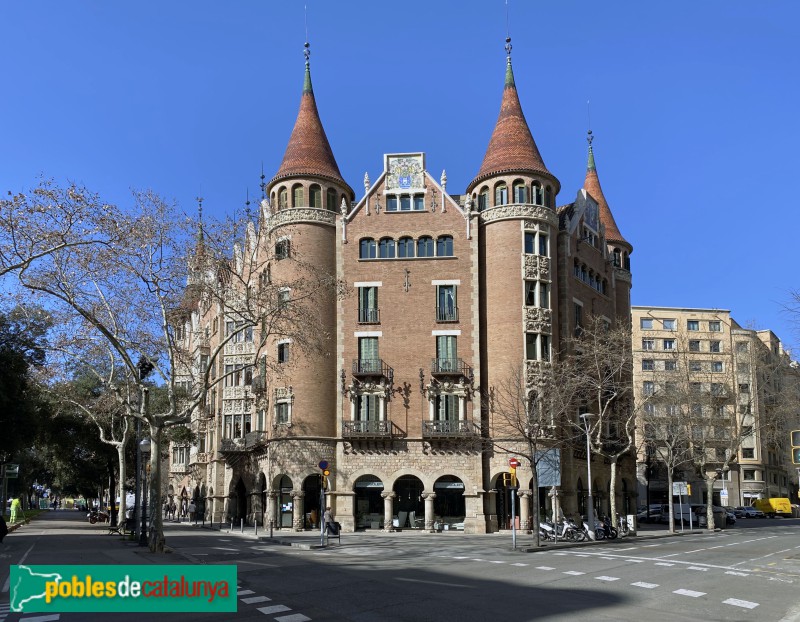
309,152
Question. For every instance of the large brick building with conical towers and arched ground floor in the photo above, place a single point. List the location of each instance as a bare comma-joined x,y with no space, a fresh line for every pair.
446,295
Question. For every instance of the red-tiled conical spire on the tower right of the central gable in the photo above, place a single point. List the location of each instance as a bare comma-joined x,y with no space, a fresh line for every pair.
511,148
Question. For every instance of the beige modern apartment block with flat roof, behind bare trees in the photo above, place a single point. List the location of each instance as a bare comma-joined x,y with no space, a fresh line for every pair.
729,390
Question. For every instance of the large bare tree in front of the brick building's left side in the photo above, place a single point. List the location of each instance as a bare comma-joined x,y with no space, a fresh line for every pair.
133,297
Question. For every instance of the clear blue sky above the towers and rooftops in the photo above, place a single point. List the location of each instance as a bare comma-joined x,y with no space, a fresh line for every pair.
693,105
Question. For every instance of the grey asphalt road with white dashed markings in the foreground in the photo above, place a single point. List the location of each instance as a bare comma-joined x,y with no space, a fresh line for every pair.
750,572
